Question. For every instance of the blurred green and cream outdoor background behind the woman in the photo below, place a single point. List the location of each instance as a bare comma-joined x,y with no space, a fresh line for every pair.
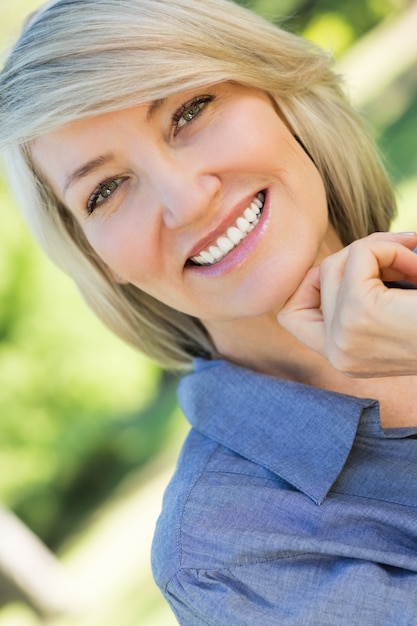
89,429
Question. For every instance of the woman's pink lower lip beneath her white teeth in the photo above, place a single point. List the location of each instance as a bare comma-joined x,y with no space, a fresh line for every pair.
239,255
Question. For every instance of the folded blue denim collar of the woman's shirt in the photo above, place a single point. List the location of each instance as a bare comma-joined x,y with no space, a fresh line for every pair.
302,434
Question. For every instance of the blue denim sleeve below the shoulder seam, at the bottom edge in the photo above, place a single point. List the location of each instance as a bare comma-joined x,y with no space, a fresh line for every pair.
311,590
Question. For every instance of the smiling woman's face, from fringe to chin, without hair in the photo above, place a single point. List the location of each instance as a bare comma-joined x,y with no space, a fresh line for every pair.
204,200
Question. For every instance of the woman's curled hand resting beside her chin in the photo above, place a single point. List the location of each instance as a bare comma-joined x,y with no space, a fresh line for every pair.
345,312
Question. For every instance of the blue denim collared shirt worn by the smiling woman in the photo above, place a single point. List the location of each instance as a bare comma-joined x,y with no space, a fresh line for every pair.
290,505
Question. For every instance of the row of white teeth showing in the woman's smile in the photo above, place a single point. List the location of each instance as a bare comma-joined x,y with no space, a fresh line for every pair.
233,236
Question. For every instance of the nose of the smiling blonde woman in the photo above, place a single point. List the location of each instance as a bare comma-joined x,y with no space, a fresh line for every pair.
186,192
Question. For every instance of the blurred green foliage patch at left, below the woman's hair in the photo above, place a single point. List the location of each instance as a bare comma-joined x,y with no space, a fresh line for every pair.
74,401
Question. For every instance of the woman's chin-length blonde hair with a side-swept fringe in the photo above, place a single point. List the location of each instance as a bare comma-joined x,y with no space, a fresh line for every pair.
80,58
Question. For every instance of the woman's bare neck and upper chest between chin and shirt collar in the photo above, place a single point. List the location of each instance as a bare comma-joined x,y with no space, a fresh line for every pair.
262,345
